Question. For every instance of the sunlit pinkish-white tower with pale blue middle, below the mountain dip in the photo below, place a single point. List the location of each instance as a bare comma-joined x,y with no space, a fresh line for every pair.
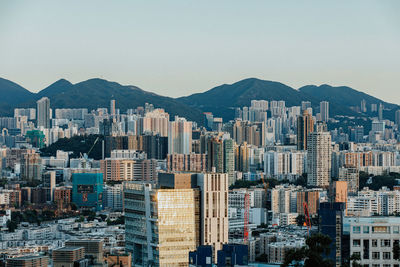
180,136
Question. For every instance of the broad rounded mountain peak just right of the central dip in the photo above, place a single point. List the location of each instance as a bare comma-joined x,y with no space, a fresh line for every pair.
222,99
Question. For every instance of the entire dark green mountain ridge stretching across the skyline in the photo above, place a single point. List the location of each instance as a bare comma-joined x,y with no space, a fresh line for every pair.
221,100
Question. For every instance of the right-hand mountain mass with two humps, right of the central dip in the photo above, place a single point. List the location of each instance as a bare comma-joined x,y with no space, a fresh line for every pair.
222,100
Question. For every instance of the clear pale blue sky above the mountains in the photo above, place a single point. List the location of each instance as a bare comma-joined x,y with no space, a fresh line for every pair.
177,48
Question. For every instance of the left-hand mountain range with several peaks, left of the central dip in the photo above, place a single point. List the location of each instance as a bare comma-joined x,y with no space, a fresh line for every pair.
92,94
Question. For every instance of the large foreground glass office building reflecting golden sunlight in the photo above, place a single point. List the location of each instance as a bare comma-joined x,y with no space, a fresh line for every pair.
162,225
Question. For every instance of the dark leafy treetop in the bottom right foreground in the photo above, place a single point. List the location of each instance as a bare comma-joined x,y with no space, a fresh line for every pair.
313,254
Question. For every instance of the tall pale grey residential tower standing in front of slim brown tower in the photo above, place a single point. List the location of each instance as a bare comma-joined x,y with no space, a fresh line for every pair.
319,153
